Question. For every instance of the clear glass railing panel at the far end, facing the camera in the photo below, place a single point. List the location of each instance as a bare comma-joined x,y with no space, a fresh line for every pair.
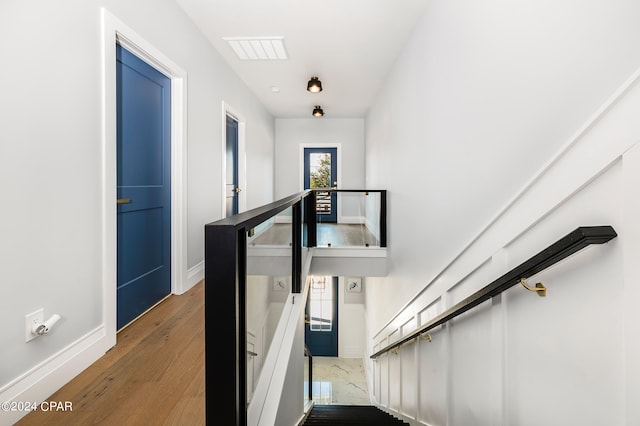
355,219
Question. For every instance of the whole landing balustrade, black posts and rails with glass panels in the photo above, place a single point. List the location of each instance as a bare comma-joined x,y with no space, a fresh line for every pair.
253,264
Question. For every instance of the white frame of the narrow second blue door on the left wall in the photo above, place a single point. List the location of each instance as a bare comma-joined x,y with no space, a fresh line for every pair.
242,157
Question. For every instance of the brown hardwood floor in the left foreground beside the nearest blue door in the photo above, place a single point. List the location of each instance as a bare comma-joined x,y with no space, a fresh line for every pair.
153,376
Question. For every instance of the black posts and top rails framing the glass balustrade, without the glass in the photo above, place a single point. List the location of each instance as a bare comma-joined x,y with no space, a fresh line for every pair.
225,295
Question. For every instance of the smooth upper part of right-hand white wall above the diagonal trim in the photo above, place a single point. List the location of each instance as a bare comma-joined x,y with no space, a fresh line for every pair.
481,97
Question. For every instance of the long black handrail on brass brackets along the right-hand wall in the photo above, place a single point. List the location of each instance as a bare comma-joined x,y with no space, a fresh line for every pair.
564,247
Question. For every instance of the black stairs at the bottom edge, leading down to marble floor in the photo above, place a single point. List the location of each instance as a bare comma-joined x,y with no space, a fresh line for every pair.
344,415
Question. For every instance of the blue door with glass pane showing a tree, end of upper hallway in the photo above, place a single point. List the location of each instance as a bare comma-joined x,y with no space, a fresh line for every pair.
321,171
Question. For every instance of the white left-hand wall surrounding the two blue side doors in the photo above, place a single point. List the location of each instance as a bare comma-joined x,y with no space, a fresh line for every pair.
50,164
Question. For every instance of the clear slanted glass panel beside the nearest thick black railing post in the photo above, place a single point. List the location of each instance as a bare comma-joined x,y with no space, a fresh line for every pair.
269,260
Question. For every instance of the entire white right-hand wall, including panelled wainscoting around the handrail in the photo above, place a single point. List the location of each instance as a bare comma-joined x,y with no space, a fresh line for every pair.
513,143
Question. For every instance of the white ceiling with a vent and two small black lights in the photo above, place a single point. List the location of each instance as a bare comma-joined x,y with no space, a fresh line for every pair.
349,44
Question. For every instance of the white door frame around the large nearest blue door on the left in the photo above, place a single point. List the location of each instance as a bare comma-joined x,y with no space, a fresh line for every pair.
115,31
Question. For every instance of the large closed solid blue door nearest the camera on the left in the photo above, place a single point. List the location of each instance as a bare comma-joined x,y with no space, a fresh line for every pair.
143,186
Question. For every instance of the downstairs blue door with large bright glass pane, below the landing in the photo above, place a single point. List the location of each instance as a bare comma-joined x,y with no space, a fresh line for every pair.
321,317
